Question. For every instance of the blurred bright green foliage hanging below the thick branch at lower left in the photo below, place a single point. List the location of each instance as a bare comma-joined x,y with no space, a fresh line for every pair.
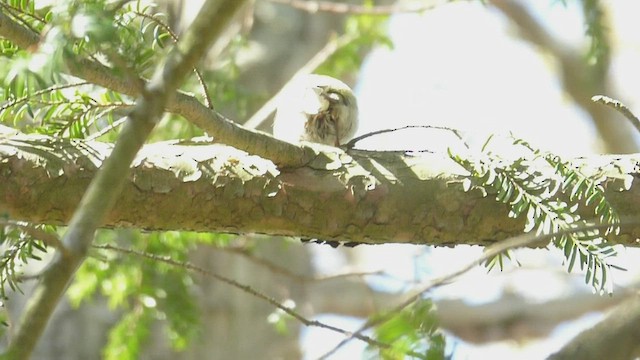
153,292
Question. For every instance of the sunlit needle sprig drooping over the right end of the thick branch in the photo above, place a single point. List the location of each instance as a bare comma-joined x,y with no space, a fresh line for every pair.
551,194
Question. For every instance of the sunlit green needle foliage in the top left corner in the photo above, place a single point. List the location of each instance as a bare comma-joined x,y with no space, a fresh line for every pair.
37,96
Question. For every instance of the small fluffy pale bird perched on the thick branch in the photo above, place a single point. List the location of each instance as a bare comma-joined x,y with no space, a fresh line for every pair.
317,108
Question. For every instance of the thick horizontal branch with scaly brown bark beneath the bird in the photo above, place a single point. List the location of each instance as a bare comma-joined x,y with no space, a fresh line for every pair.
357,196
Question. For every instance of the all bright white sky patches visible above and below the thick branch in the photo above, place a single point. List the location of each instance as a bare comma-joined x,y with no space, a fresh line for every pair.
461,66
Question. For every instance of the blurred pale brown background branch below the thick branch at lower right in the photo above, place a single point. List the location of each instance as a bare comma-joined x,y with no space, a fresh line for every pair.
511,317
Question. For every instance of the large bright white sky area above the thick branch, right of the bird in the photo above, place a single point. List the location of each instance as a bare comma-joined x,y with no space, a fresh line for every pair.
460,66
